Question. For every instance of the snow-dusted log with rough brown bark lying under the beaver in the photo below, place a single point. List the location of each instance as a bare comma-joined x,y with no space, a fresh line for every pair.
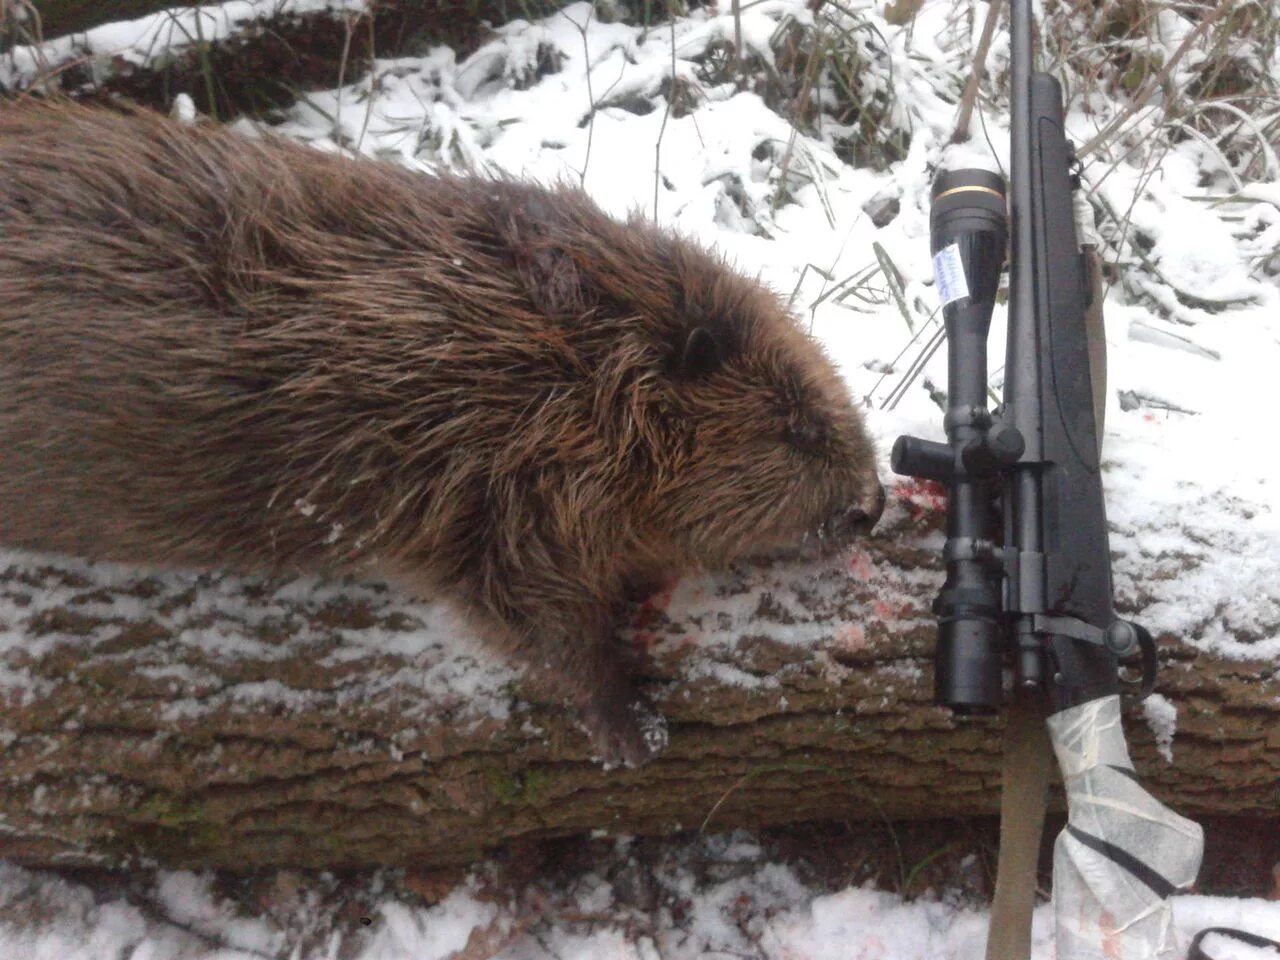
228,723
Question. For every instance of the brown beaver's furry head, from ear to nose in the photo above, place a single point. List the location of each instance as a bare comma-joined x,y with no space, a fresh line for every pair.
769,456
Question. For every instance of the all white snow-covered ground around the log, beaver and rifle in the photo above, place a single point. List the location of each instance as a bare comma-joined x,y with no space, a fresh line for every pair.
1191,478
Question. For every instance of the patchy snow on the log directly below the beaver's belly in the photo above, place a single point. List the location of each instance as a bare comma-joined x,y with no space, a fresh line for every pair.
214,619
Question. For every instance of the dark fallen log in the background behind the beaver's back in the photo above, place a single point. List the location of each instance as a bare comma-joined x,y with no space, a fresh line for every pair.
260,65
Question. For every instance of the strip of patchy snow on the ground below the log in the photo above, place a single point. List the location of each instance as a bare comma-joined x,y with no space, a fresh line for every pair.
712,899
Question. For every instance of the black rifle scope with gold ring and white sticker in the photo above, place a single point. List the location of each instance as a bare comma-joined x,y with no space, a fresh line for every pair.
970,230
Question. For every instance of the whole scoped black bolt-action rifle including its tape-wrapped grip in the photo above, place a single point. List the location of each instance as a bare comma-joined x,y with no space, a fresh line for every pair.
1028,572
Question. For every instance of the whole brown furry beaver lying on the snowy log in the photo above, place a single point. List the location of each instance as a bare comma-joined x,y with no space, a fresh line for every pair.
240,353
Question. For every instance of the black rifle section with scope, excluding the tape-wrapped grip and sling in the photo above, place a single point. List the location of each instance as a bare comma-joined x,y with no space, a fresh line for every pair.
1041,596
